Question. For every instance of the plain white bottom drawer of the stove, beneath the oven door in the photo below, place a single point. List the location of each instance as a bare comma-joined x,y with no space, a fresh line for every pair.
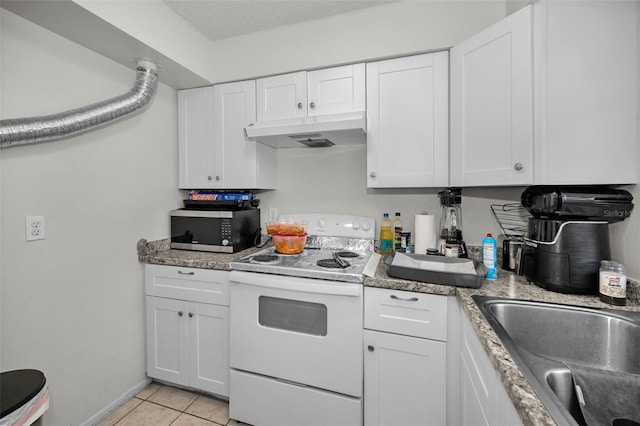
260,400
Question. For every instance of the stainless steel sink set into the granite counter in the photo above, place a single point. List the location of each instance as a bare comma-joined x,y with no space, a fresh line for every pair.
541,337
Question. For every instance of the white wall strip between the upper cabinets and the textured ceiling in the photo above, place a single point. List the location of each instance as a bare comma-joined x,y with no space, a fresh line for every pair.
390,30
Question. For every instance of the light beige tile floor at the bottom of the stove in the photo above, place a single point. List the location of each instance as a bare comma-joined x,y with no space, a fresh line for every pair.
160,405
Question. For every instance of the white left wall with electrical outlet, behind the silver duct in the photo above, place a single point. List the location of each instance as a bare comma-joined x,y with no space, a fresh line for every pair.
72,305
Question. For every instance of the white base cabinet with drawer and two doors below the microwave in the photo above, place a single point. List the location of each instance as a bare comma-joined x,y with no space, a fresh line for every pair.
188,327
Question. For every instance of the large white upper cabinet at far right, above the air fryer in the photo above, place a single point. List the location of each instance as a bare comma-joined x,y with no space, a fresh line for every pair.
569,117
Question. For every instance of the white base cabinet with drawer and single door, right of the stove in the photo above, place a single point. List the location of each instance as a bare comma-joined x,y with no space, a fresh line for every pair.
404,358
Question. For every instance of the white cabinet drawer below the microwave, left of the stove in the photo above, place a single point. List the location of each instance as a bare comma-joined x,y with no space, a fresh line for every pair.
192,284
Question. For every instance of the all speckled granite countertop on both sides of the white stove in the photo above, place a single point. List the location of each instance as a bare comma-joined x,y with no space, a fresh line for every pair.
508,285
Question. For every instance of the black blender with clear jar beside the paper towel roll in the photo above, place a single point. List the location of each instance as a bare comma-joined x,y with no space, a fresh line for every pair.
450,241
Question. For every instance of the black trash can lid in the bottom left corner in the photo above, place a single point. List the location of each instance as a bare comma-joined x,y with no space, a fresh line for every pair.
17,387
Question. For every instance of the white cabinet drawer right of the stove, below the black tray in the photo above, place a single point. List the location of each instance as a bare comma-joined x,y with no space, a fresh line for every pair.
405,312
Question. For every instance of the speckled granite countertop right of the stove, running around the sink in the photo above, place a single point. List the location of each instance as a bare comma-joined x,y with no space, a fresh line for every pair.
508,285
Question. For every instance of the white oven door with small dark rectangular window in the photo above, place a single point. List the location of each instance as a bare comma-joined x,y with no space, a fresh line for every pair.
306,331
